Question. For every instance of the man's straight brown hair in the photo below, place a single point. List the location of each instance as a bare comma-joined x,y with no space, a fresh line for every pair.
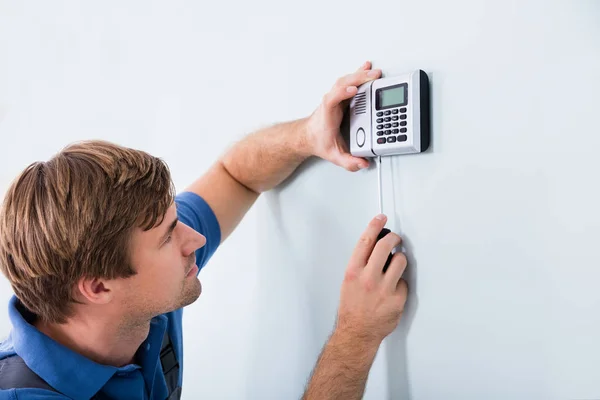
72,217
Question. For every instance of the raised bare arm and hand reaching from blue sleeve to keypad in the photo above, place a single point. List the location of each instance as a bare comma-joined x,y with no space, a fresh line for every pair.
265,158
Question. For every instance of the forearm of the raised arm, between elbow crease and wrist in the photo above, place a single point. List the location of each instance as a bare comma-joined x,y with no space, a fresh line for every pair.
264,159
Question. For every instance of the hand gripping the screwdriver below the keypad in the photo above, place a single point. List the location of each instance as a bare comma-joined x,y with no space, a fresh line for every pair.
372,302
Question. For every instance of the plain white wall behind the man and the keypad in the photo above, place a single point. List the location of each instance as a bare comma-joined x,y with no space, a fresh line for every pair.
500,218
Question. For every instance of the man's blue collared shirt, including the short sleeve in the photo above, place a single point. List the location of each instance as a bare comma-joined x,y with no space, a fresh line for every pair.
77,377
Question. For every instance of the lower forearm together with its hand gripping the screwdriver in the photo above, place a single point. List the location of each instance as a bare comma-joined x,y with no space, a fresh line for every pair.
371,303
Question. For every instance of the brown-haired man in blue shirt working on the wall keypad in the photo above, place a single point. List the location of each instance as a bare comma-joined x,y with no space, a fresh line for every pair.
102,257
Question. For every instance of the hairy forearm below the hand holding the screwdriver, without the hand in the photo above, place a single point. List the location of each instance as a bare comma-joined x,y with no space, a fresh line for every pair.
342,369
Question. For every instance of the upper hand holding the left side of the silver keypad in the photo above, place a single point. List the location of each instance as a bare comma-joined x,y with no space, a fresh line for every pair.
323,126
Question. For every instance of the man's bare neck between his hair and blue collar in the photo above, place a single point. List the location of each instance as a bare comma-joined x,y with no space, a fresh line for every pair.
99,339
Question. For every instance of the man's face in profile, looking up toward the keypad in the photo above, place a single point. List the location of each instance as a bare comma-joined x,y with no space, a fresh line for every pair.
165,262
